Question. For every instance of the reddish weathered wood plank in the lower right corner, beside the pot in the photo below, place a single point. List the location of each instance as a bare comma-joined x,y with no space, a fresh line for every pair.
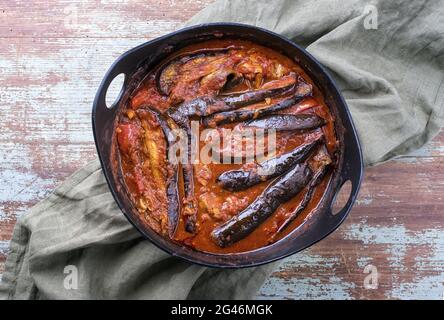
396,226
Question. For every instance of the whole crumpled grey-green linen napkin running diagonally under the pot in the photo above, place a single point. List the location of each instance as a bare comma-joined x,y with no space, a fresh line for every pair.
386,56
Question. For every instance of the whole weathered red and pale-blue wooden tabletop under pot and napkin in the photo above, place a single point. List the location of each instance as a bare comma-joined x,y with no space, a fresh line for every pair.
53,54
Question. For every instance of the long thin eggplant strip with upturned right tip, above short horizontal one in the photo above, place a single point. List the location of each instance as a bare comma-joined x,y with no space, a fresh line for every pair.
302,91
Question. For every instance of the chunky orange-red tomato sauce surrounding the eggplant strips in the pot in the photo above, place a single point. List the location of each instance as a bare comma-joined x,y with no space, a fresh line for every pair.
213,69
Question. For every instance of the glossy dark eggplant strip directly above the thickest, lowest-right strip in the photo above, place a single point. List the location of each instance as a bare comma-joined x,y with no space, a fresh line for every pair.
236,180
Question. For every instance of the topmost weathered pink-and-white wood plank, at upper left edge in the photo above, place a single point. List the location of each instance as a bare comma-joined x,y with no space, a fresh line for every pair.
98,18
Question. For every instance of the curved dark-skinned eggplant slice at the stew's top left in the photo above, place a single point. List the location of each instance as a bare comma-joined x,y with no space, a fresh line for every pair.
168,73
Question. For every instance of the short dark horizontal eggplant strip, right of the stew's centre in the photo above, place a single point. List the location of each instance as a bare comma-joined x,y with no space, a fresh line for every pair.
287,122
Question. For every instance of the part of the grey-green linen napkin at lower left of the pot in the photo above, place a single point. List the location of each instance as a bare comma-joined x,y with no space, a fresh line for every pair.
80,226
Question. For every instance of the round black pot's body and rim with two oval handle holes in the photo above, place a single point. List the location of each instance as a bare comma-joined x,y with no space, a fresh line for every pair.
135,63
